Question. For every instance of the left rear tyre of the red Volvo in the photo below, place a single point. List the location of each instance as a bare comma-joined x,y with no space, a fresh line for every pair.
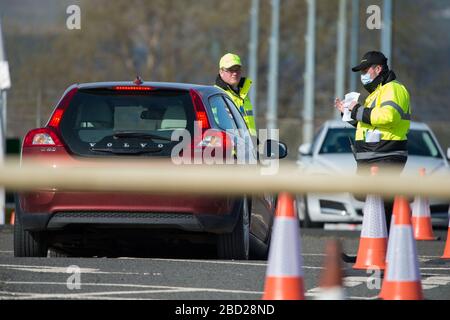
27,243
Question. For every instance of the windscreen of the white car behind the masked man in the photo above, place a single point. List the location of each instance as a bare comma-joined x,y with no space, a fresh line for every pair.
420,142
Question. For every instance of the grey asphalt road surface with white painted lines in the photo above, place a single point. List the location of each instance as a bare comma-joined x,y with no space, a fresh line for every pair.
189,273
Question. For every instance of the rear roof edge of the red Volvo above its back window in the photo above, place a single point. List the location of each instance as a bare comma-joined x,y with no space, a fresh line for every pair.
205,89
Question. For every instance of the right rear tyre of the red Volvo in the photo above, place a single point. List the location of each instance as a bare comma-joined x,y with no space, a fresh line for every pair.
236,245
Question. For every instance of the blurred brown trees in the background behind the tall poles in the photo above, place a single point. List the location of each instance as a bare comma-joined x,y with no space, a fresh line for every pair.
182,41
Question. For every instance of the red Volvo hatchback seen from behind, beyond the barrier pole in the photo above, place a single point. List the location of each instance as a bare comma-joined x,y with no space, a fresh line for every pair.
94,122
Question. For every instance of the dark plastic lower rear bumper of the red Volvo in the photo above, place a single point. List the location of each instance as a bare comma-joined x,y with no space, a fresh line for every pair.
221,219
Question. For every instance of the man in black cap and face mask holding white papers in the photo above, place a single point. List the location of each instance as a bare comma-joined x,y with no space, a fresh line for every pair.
382,123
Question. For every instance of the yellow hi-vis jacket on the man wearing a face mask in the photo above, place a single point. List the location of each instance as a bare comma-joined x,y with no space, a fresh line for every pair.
387,113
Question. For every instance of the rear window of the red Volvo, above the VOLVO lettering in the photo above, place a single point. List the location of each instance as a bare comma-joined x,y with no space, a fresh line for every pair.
101,122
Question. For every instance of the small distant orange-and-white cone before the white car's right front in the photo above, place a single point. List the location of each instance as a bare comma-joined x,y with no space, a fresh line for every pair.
421,218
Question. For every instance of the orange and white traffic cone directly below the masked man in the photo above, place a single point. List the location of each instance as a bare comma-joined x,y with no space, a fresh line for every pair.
373,242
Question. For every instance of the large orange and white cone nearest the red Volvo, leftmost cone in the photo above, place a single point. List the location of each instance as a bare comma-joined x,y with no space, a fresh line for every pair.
284,276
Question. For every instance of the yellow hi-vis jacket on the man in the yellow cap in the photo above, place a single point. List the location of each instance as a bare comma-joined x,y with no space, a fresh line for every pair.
241,100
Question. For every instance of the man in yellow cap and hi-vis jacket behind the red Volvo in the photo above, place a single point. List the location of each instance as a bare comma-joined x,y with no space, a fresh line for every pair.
237,87
